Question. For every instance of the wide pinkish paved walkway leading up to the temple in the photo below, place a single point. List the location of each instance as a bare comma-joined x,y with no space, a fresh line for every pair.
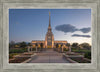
49,56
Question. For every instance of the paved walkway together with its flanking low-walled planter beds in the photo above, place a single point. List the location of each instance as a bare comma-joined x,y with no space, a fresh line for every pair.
49,55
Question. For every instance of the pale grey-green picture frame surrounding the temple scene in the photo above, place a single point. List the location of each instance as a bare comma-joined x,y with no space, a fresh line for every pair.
6,65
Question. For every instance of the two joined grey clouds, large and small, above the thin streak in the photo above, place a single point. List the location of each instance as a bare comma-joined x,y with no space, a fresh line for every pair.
70,28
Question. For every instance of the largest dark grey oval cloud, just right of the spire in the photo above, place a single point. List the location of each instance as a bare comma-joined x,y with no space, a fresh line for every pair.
66,28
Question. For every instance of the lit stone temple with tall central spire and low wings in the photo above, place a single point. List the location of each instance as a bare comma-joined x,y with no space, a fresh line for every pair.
49,41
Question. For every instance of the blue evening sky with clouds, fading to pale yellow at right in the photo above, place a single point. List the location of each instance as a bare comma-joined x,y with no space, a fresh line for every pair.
72,25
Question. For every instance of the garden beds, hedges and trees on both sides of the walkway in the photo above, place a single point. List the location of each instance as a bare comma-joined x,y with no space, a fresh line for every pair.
72,53
